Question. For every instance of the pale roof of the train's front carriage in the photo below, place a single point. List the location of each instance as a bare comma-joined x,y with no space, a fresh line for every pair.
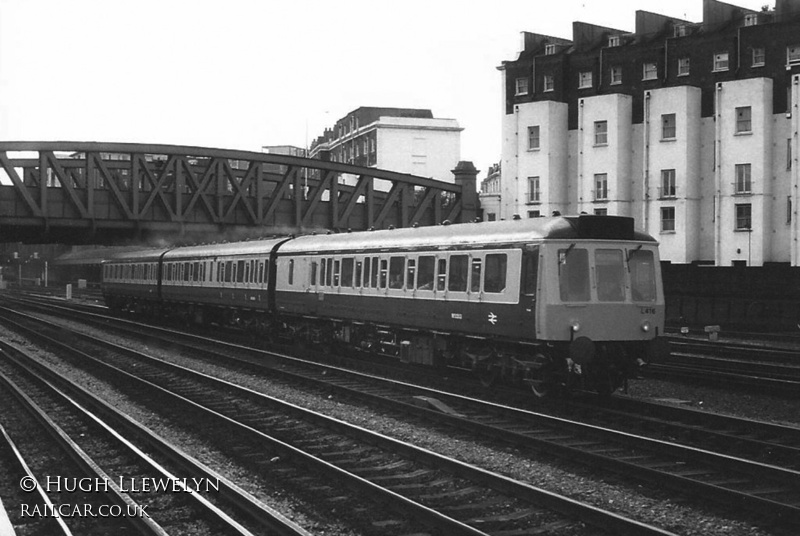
470,234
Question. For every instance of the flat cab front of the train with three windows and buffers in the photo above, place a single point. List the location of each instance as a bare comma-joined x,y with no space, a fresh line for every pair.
602,310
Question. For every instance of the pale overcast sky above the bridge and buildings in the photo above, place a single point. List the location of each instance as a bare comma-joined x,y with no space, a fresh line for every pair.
239,74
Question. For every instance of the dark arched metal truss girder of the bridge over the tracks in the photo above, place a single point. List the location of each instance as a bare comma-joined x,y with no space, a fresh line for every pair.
80,192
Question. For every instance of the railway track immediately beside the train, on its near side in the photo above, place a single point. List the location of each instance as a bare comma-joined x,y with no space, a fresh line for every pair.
728,478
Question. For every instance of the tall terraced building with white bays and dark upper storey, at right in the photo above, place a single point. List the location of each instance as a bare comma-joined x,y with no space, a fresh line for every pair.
690,128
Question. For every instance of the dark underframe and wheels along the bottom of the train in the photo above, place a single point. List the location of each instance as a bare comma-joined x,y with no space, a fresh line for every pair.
546,368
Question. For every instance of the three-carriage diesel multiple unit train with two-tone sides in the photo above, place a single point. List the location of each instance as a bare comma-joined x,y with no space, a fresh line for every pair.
558,302
